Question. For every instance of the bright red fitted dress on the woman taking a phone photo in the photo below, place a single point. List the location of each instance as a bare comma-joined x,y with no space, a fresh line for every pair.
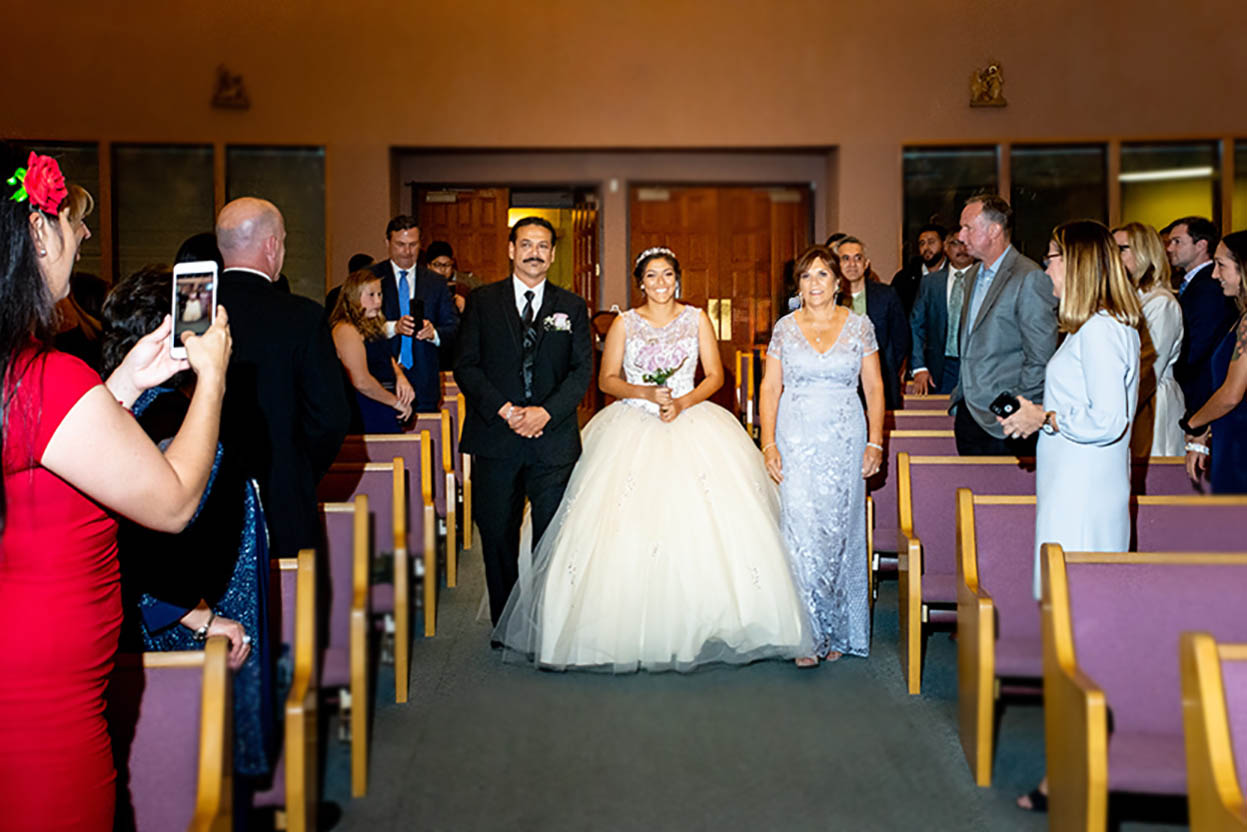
60,614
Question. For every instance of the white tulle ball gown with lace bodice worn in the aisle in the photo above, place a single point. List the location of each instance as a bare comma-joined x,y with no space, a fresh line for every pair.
667,552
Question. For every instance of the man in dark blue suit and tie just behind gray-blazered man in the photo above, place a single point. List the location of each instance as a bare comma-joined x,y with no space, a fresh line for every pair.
936,352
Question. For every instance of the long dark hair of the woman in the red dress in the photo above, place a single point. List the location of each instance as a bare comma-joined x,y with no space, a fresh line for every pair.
26,304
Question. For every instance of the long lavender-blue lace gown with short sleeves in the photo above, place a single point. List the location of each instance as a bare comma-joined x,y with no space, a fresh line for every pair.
821,435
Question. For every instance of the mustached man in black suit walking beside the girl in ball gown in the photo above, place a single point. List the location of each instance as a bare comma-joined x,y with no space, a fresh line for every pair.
524,365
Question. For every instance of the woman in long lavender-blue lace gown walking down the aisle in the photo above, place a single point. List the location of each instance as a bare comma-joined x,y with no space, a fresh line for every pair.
816,447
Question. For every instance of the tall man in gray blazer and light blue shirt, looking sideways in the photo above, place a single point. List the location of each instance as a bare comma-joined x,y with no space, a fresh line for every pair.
1008,330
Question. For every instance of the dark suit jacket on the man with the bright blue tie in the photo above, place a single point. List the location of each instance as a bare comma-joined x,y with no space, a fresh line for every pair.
440,309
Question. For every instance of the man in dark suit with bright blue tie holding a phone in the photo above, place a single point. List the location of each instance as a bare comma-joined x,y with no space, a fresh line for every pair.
406,289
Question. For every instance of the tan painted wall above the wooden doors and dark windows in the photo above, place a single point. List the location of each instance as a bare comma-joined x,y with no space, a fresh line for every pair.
365,77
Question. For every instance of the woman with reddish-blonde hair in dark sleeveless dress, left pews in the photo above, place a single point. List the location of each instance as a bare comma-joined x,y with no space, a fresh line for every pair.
383,395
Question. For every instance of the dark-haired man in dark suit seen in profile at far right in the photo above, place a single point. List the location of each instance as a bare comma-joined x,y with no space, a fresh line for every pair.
1208,314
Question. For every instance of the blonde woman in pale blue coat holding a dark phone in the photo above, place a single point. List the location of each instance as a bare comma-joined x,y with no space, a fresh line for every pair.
1092,386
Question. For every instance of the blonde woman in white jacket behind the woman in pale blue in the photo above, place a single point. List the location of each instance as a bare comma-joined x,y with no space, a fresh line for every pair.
1160,399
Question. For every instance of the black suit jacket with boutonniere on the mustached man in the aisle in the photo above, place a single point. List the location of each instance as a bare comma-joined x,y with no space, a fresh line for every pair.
489,372
